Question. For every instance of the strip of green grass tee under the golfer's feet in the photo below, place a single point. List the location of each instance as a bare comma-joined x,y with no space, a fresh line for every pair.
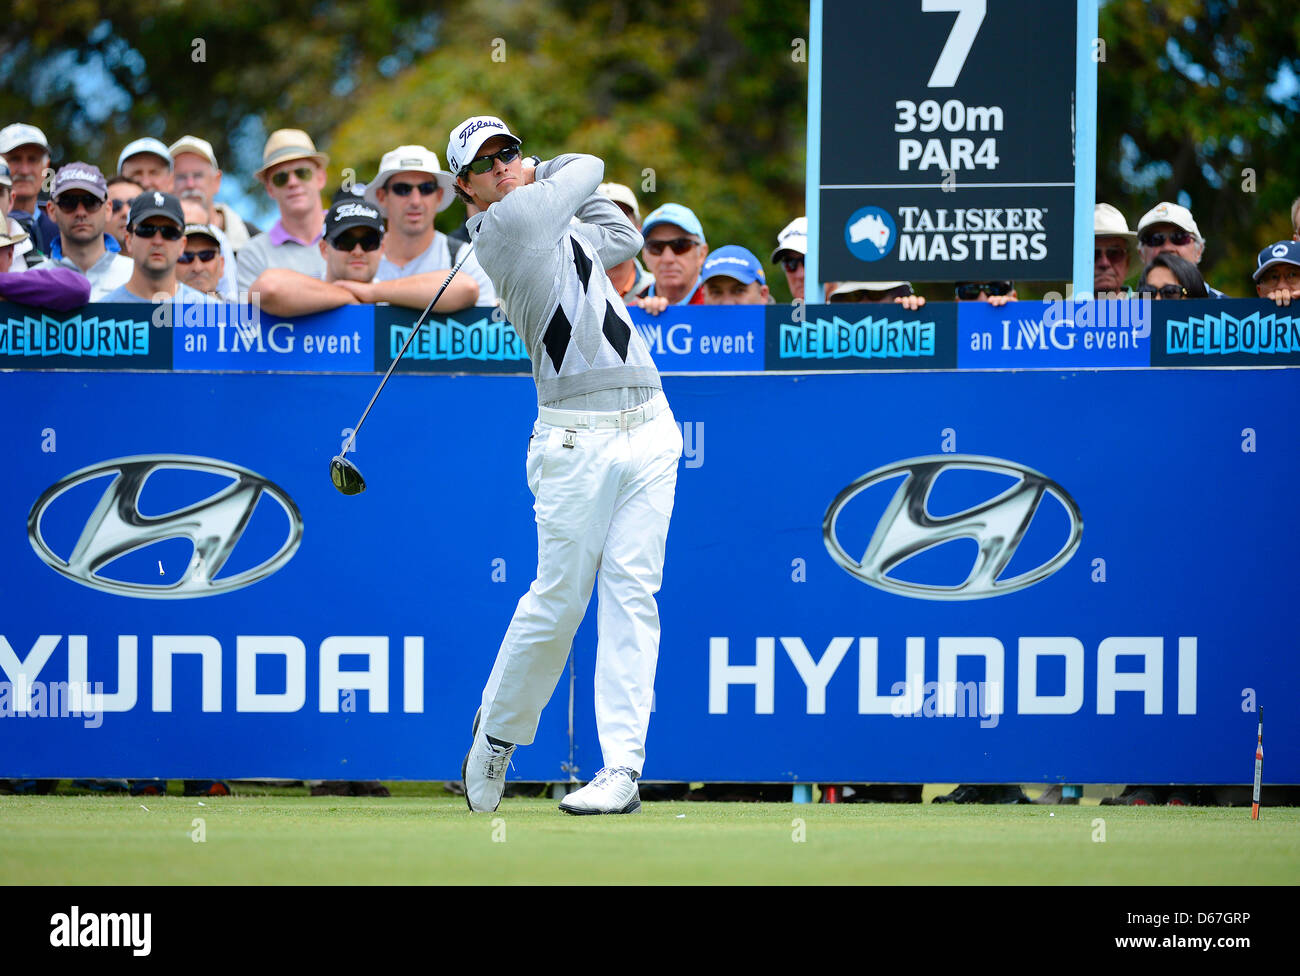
276,838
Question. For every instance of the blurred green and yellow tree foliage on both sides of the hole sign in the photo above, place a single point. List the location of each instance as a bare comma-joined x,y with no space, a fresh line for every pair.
703,102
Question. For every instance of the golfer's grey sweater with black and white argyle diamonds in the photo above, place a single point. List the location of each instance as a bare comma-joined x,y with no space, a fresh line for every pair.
547,246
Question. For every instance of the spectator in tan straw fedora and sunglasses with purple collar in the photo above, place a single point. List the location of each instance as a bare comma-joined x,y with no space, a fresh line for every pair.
293,173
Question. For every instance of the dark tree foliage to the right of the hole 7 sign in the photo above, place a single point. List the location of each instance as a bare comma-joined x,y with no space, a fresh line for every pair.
1199,103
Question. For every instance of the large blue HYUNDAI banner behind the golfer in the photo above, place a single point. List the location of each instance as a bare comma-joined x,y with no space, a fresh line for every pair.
1002,578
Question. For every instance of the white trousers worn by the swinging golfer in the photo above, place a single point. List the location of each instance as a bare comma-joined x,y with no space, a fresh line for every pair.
603,510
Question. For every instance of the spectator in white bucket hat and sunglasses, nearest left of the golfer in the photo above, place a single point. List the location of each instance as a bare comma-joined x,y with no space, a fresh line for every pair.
411,189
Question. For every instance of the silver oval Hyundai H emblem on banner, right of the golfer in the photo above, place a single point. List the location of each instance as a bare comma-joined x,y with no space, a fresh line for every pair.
996,526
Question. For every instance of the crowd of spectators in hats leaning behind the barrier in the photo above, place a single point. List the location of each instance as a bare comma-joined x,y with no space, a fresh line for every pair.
154,232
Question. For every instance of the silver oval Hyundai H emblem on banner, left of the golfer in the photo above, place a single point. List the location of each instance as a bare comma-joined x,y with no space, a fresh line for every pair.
116,527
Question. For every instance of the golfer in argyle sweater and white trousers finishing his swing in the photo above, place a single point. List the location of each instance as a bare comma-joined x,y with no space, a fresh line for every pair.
603,461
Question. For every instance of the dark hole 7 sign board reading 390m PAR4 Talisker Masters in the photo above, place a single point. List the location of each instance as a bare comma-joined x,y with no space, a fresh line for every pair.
947,140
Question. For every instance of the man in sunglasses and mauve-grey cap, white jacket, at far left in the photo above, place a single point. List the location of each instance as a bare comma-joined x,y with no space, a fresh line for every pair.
80,214
